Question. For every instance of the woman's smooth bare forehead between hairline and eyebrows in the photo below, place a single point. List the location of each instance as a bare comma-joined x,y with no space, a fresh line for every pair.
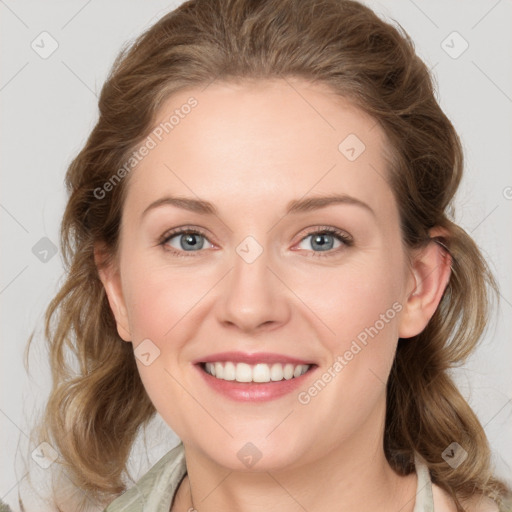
265,142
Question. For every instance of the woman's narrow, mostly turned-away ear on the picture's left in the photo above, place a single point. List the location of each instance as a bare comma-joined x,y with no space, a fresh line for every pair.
110,277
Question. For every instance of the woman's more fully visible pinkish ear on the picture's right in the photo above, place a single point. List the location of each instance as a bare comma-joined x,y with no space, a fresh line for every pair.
430,274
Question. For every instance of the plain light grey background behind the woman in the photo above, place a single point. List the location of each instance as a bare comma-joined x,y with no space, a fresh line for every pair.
49,105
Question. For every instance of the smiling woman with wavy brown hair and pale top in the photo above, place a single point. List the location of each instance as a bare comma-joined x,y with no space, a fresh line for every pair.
260,250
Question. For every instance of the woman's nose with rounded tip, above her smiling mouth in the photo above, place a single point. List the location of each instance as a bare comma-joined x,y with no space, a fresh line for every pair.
253,297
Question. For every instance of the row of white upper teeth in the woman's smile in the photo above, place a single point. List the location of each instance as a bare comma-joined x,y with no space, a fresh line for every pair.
261,372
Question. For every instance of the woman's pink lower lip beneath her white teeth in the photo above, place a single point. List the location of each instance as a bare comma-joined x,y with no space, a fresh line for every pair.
254,391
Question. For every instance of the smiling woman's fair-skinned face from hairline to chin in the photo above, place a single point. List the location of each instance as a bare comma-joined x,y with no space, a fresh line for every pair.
260,168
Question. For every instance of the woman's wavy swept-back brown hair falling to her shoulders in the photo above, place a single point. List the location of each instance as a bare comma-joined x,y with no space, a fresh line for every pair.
98,403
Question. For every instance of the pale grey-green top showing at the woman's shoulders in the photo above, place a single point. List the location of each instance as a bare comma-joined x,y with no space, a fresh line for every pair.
155,491
